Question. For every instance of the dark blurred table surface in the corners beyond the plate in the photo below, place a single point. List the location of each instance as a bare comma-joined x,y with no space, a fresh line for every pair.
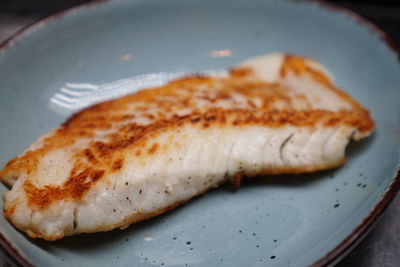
381,247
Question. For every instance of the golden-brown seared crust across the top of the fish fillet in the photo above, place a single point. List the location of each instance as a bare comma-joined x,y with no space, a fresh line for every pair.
161,107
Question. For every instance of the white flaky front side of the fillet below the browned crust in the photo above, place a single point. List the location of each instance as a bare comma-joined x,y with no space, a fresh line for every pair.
203,161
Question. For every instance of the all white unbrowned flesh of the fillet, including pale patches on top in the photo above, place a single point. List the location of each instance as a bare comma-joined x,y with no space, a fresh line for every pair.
202,159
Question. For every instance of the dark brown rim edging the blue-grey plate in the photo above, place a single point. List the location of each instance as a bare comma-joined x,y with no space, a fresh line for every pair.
360,231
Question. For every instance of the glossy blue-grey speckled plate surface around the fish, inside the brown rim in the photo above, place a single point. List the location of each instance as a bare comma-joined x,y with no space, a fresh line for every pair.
270,221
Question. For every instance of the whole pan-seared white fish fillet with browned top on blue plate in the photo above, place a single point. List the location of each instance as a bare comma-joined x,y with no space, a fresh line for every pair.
135,157
